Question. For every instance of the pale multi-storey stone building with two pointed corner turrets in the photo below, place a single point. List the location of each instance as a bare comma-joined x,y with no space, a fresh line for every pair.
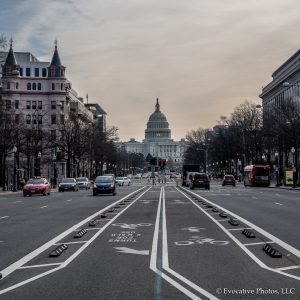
38,96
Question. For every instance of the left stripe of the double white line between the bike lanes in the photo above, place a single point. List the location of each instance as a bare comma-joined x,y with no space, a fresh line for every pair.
153,259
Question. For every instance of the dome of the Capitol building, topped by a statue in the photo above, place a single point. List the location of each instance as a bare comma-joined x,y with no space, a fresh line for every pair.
157,126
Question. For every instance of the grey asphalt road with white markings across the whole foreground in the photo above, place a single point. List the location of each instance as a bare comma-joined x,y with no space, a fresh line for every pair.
154,242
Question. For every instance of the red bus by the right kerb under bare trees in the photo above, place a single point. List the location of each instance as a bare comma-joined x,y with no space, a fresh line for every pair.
257,175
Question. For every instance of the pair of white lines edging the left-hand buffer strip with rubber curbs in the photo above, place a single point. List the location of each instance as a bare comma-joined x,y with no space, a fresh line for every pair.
33,254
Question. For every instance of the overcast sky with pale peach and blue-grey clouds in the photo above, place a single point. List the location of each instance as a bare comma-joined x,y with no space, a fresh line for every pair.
201,58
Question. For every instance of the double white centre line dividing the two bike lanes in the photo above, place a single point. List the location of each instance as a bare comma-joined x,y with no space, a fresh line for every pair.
161,218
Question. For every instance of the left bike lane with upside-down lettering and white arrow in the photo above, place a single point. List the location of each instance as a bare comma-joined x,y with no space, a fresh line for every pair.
115,265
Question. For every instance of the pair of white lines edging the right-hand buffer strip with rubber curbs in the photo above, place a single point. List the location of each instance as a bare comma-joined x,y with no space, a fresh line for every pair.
281,243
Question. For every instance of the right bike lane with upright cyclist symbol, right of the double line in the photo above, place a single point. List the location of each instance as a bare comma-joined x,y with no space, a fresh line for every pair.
208,261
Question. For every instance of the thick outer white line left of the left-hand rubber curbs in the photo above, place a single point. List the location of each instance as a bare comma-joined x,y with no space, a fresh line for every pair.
47,245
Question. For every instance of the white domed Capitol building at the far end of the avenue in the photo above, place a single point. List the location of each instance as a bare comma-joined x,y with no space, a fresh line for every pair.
158,142
